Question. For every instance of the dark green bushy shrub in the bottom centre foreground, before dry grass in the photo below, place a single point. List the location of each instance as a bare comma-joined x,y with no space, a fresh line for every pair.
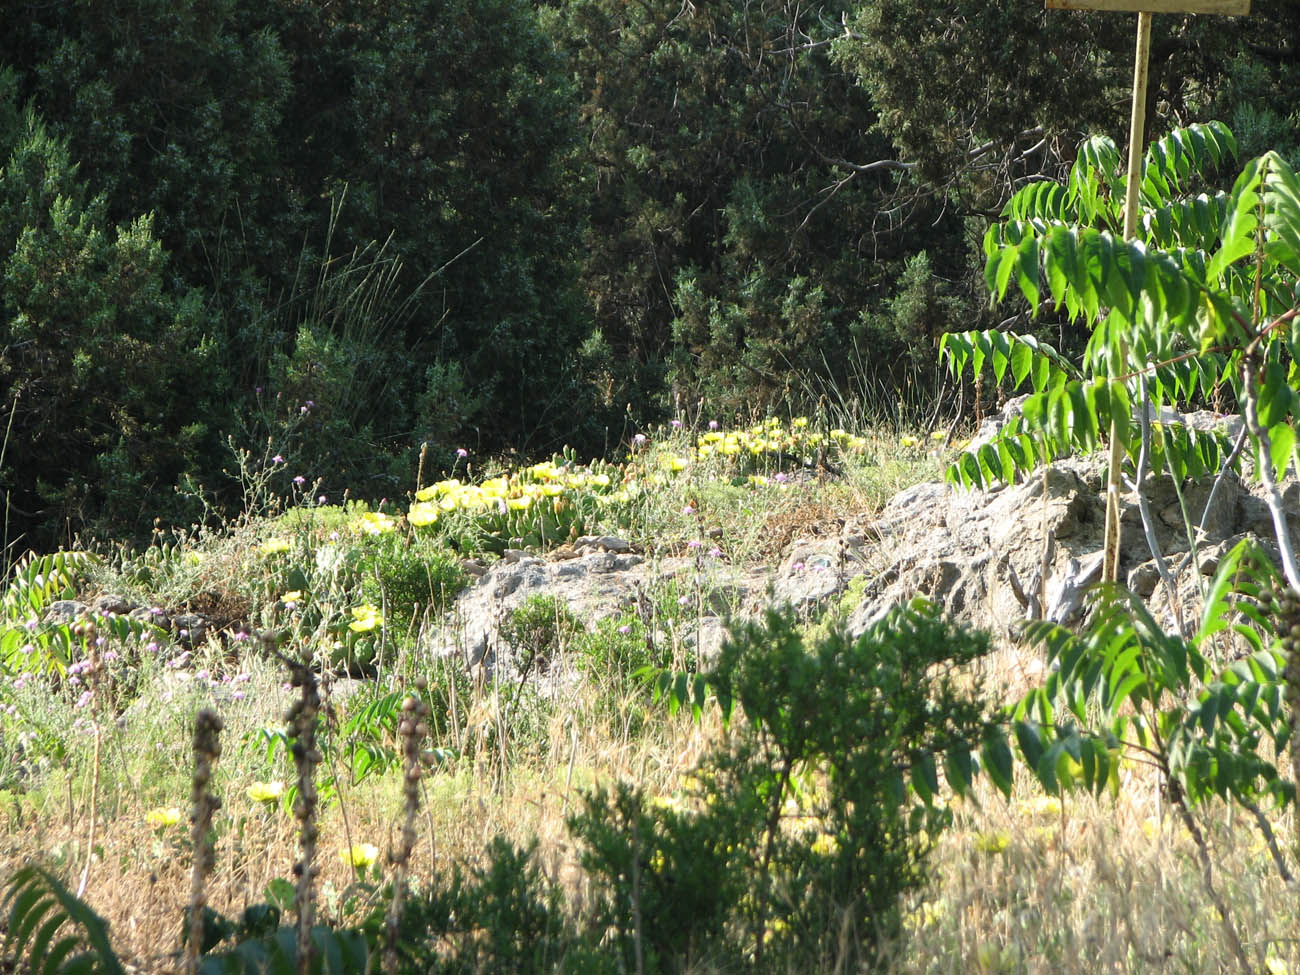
800,833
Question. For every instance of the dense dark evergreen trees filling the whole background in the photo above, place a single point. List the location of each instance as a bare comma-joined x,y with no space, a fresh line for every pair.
335,231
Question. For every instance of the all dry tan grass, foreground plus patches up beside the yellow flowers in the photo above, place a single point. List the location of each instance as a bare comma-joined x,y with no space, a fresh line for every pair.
1098,886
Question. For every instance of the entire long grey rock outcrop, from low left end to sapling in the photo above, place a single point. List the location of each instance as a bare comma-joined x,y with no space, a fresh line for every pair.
991,558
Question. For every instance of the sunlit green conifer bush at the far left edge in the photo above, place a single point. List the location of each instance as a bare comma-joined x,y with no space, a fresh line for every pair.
110,370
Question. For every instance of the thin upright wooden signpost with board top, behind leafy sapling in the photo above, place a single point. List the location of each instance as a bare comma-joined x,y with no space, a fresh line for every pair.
1137,141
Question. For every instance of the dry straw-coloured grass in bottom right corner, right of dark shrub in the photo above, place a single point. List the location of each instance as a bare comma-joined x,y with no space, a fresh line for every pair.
1100,886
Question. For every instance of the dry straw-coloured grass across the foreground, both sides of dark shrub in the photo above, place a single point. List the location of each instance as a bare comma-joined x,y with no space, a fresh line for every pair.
1094,886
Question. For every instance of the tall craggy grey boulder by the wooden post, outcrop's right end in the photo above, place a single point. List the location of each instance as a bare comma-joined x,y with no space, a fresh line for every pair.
1028,551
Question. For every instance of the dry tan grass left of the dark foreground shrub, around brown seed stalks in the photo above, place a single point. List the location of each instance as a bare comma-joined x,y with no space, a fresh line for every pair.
140,877
